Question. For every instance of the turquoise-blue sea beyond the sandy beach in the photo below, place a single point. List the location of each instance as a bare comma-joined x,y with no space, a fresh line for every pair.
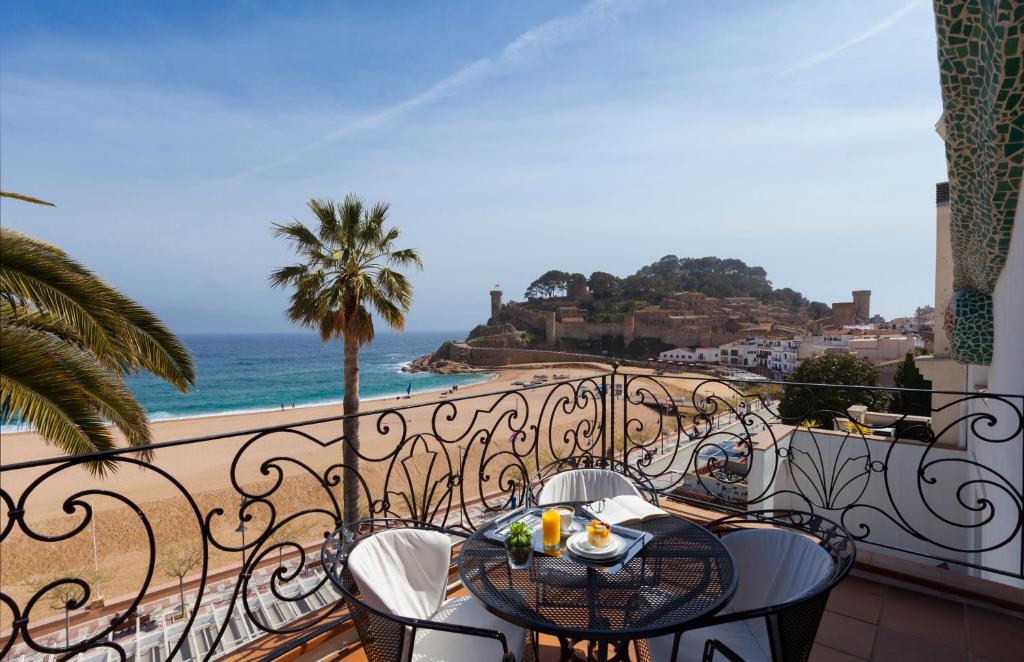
259,373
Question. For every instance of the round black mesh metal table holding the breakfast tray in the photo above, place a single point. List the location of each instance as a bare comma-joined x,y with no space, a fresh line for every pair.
682,576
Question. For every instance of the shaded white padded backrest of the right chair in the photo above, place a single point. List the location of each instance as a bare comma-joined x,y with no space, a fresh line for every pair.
776,567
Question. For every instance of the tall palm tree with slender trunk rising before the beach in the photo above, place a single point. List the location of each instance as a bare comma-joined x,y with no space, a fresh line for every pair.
347,267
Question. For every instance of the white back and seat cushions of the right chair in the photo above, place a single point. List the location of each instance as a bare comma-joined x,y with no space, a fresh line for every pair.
775,566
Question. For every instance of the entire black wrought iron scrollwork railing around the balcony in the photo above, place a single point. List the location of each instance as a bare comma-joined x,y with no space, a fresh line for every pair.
215,541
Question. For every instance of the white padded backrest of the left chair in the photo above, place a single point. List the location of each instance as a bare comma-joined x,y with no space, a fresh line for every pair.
403,571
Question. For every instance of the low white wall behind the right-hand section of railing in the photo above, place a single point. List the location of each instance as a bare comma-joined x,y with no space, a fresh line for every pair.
898,508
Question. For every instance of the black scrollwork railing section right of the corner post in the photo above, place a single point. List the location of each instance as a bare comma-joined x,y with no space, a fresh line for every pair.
943,483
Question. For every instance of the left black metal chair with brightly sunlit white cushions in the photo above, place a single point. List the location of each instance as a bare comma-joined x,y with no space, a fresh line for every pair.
394,575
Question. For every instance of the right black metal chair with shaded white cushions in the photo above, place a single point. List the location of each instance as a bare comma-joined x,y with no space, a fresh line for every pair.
788,564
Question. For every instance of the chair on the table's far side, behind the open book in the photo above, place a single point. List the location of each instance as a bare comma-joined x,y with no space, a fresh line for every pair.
586,479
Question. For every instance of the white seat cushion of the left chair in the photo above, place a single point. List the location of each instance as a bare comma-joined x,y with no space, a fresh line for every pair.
434,646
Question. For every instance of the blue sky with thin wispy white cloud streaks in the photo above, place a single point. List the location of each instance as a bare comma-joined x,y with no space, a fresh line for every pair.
509,138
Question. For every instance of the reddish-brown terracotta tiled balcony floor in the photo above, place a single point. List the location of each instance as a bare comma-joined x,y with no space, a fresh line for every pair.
867,620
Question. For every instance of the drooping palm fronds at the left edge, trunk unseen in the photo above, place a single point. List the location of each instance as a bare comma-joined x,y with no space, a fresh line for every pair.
69,340
